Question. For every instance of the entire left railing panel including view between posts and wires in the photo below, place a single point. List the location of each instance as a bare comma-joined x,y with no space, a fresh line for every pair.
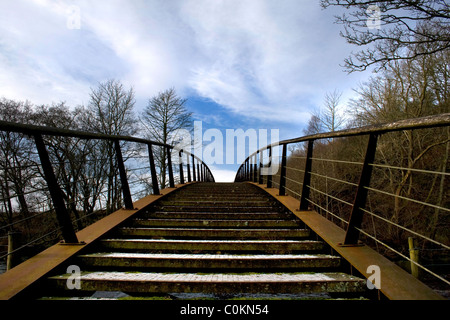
68,187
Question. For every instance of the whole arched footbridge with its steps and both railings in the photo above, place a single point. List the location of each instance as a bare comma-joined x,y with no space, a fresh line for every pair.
359,213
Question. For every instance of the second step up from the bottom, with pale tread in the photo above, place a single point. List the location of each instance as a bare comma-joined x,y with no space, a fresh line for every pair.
207,261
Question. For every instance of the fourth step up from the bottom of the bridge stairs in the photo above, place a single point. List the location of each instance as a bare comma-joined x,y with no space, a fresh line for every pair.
213,233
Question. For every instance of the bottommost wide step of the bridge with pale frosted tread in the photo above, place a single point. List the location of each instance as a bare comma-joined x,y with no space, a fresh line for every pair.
149,282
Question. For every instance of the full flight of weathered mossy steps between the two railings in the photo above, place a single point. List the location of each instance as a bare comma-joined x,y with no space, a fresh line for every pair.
267,272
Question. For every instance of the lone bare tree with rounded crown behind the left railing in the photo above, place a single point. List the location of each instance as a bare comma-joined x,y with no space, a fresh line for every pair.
164,114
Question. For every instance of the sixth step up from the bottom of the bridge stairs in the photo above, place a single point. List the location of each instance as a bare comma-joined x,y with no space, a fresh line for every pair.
216,216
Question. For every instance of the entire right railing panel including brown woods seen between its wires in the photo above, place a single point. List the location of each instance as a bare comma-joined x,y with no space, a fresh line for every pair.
372,180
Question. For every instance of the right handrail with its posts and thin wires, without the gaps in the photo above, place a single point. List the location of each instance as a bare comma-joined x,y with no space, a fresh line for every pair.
251,168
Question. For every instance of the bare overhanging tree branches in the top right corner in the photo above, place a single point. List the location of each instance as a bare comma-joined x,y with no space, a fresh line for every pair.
403,30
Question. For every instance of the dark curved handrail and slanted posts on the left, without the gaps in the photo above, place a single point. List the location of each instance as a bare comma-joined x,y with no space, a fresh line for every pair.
63,217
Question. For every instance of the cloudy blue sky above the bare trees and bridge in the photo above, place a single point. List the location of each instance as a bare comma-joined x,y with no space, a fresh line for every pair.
241,64
